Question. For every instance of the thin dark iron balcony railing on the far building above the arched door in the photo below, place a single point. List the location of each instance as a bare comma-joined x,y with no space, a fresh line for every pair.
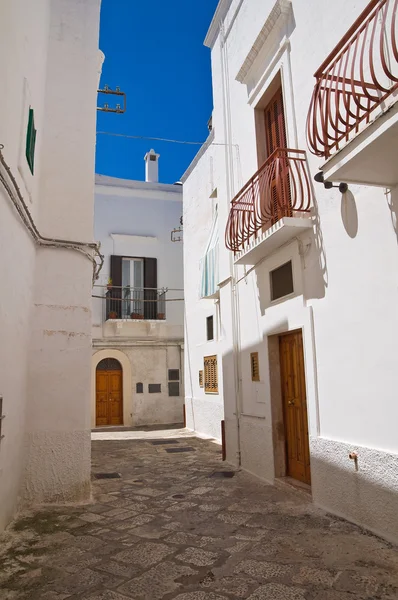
127,302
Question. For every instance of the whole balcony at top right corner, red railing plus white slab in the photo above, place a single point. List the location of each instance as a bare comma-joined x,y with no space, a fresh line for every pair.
353,116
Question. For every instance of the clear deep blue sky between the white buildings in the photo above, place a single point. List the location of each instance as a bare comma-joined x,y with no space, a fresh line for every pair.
154,52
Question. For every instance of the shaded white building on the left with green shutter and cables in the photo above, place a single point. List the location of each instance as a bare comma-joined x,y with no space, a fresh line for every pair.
49,73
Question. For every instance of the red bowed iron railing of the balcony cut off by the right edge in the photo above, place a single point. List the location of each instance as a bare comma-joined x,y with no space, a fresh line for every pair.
355,79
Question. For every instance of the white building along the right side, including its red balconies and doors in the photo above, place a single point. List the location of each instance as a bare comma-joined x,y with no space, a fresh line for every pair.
303,287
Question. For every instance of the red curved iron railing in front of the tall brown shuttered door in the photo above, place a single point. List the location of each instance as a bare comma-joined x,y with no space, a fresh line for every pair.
280,188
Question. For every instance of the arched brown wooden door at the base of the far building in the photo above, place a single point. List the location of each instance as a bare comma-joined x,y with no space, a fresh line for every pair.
109,393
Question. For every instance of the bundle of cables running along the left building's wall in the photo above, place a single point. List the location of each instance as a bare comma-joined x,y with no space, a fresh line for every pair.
15,195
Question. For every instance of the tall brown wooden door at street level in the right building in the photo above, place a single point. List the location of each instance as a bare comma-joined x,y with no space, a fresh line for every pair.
295,407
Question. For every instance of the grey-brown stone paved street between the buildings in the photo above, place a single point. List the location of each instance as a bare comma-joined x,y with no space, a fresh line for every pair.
167,529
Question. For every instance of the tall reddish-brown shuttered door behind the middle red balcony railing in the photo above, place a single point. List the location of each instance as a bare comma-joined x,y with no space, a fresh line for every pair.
278,197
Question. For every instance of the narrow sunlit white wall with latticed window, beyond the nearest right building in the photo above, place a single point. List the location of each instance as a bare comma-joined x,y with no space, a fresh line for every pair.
204,412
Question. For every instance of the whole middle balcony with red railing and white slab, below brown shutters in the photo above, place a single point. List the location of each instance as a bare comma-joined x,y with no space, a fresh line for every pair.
273,207
